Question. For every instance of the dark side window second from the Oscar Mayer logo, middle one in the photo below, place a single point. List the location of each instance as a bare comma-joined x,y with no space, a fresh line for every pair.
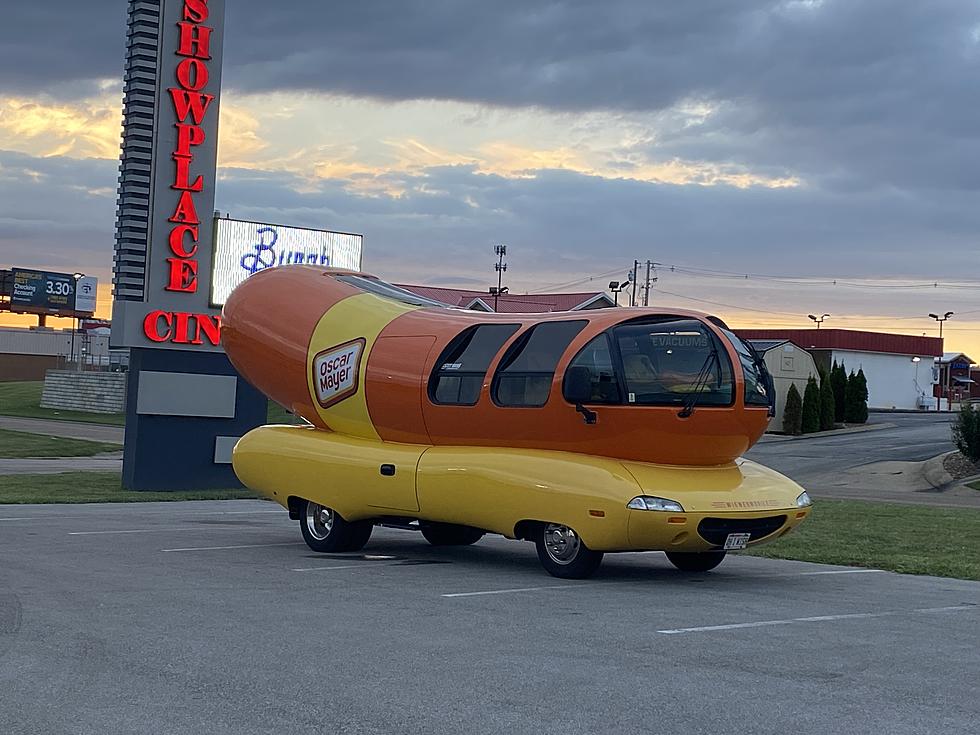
526,371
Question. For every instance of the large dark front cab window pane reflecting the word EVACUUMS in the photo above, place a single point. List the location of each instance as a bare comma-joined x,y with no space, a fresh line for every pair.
669,361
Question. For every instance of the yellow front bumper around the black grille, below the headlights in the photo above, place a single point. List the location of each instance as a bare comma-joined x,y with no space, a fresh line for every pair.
659,531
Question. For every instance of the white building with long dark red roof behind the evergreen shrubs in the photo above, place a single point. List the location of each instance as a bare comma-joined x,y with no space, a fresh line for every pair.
899,367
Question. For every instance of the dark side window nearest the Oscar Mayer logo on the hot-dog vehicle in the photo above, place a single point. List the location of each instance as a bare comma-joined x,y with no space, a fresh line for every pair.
458,375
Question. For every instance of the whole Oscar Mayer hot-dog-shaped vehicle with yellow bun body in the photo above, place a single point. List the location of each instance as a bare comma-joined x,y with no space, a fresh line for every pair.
585,432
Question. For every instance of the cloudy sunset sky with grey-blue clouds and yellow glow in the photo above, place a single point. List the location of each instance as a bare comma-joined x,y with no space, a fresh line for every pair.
784,156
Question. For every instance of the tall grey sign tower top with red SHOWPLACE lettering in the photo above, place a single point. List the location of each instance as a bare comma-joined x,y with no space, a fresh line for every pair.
166,196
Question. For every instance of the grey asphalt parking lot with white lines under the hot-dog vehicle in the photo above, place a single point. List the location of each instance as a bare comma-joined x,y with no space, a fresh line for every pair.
214,617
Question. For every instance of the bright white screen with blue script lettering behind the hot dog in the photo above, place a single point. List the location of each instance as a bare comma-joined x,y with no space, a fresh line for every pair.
242,248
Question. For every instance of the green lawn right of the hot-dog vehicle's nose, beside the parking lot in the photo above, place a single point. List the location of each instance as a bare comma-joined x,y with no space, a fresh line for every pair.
912,539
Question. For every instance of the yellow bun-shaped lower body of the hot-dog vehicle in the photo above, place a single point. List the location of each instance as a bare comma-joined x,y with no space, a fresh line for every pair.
501,490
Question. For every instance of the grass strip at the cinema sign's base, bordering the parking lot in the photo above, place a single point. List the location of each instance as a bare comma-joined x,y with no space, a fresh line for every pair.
94,487
